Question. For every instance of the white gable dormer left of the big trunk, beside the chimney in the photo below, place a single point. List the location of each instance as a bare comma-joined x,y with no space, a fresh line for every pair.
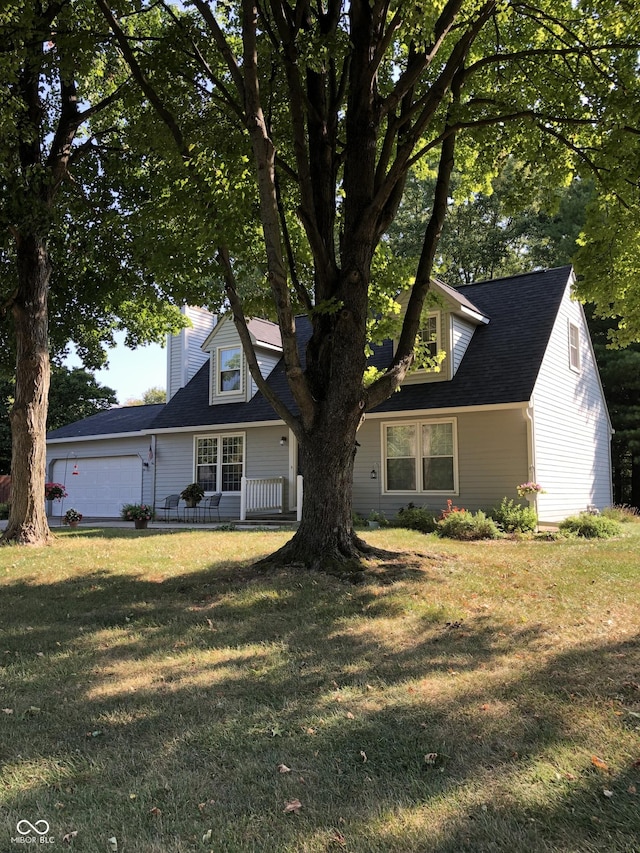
229,378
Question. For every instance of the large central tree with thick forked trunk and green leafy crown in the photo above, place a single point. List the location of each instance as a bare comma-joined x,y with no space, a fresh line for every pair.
314,115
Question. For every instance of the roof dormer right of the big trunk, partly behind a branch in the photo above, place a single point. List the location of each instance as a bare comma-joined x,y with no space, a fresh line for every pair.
448,323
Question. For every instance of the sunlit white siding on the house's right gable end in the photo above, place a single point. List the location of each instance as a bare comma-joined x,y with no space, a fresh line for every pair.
571,426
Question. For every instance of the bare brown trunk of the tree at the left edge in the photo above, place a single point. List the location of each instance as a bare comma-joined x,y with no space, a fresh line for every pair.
27,520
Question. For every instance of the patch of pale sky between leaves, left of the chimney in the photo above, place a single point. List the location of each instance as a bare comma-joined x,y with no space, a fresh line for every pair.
131,372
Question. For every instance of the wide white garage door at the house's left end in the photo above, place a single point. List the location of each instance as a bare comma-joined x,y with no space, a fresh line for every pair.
100,486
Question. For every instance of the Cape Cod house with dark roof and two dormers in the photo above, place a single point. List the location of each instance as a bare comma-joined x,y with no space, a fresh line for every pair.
517,397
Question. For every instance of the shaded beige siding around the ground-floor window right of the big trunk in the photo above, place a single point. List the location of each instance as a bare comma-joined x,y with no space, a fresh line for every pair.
492,461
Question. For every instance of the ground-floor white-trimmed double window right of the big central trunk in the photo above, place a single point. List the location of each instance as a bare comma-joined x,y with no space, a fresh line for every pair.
421,457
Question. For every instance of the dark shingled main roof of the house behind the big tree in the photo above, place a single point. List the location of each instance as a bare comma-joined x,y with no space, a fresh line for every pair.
500,366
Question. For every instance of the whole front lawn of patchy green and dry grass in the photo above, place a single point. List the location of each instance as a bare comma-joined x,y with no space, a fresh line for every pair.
151,684
